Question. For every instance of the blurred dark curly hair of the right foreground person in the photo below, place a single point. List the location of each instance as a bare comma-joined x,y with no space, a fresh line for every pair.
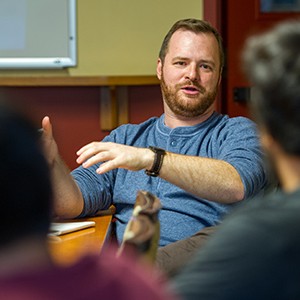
272,63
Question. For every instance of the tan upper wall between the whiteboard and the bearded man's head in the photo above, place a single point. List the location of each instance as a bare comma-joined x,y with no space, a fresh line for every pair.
121,37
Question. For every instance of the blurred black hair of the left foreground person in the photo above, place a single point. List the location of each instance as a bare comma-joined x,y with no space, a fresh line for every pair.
25,188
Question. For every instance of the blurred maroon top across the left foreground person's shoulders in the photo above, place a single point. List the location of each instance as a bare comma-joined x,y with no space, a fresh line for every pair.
94,277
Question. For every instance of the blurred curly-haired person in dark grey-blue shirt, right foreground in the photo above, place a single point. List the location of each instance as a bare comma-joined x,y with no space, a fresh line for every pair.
255,252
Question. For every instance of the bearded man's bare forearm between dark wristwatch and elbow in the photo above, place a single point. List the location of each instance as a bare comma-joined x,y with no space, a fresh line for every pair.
207,178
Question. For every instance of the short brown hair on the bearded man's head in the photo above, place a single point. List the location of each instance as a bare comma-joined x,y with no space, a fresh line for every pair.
196,26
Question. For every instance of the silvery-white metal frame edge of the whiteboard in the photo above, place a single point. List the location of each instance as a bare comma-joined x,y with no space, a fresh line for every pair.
49,62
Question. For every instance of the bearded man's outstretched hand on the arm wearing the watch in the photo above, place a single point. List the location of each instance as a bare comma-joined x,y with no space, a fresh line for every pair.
113,156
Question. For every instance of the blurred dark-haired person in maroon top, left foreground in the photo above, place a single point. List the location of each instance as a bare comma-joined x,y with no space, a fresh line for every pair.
26,268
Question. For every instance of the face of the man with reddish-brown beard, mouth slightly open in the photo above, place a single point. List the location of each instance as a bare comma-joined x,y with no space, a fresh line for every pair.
190,74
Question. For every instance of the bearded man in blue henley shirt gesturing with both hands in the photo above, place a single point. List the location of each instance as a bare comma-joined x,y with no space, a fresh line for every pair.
198,162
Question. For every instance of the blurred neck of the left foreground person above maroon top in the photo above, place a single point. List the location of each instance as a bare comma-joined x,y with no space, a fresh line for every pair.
24,256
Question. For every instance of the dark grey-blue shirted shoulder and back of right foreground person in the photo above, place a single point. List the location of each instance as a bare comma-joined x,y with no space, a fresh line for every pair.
253,255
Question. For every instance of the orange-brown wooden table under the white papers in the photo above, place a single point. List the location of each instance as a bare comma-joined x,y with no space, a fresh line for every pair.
68,248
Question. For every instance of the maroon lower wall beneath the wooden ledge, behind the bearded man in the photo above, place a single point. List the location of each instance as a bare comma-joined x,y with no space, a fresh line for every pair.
75,111
